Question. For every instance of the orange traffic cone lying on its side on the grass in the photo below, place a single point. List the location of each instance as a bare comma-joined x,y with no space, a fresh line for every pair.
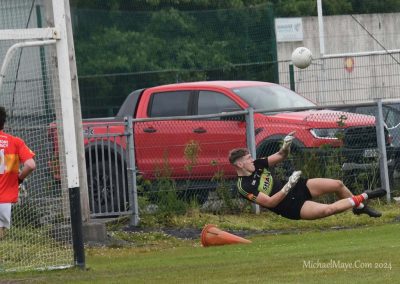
212,236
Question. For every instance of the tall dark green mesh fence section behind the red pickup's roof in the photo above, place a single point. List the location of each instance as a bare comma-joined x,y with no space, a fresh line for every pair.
120,51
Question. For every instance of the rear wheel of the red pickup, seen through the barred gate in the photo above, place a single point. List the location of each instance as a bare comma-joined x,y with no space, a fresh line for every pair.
105,186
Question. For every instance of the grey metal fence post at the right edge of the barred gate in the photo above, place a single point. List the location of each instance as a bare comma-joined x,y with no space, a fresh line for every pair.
131,170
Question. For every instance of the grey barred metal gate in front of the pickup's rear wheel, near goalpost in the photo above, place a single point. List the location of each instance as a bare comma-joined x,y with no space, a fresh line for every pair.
107,161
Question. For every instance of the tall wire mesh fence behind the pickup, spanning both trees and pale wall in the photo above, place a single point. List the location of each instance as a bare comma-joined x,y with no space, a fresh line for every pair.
176,41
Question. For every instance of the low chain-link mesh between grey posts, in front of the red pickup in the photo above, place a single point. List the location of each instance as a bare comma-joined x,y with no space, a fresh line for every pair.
180,166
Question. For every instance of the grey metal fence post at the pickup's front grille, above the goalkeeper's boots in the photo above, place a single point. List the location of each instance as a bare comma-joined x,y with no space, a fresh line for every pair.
383,166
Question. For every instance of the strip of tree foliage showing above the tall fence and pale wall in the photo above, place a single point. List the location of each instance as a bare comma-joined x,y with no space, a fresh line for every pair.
283,7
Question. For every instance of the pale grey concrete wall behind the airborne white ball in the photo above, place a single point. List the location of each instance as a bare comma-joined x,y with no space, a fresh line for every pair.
347,79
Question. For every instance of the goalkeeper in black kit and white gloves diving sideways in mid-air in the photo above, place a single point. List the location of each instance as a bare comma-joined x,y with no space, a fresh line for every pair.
294,200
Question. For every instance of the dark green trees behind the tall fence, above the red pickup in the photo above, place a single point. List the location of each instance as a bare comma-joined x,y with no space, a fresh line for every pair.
122,45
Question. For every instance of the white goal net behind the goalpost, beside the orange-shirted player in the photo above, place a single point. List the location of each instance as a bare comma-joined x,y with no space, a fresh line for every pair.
40,236
